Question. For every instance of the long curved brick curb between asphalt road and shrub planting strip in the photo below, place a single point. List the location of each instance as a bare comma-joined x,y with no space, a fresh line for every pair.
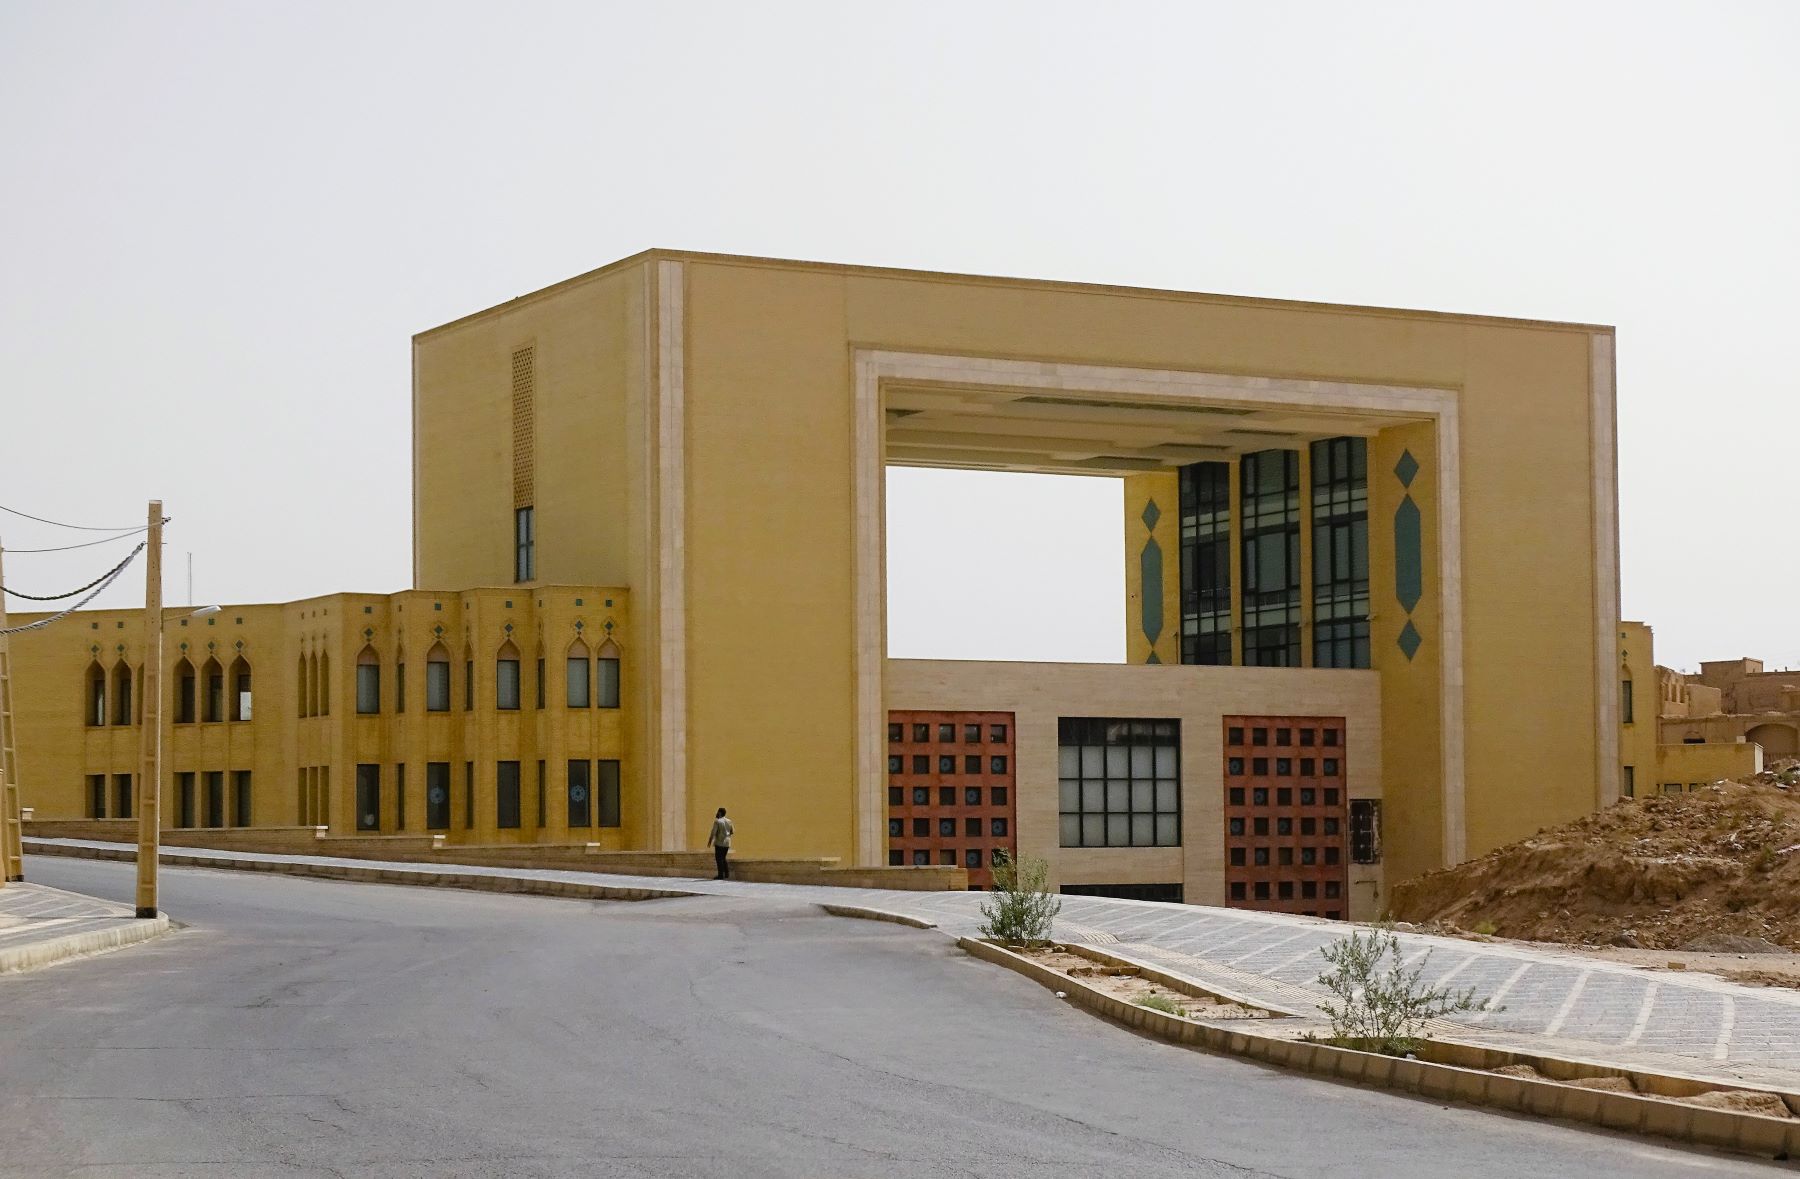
1632,1113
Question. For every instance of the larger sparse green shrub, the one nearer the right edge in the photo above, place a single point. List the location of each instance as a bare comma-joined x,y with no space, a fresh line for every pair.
1381,1005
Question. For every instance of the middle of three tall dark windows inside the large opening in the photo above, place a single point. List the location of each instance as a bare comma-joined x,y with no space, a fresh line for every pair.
1270,499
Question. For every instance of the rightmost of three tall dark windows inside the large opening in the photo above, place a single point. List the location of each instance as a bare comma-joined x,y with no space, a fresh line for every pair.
1340,553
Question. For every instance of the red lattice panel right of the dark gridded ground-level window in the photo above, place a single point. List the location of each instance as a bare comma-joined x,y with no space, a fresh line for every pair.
1288,814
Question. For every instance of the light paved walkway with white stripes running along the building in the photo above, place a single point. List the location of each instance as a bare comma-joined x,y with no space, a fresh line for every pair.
1556,1002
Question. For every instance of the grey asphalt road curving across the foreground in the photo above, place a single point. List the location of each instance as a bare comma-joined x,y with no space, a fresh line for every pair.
319,1029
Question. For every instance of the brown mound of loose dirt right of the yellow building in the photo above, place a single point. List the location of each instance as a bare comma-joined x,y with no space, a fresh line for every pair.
1662,872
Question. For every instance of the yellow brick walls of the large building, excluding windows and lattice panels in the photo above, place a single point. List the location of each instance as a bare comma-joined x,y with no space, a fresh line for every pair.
701,442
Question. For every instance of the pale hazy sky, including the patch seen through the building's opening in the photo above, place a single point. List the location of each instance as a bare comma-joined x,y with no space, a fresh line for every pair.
220,226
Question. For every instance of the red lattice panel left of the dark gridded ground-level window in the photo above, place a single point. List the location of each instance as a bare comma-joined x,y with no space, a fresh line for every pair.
951,791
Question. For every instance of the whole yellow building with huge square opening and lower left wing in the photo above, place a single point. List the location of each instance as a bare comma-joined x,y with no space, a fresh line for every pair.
1387,530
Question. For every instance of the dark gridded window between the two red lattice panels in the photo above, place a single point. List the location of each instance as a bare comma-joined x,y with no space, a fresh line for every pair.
1119,782
